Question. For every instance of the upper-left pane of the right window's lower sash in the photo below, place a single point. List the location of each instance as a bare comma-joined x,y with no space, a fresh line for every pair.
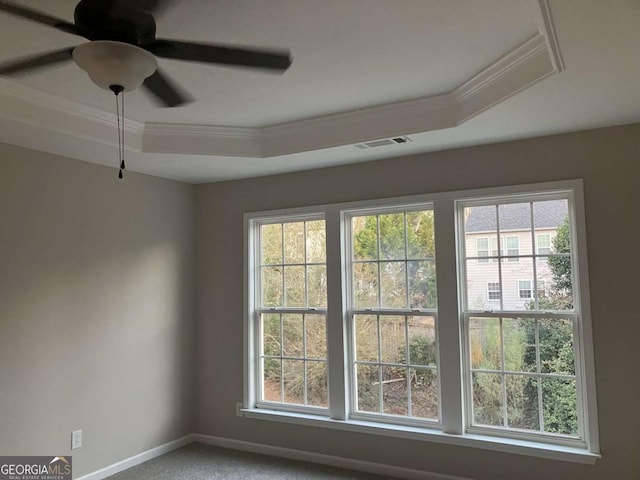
484,335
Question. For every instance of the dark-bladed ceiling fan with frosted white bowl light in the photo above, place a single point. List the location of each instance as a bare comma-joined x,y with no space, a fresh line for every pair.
123,47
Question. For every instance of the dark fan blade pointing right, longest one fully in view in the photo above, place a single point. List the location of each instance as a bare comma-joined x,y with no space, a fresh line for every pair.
227,55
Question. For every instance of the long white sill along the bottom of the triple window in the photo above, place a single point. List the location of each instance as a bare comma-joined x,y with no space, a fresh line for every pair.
518,447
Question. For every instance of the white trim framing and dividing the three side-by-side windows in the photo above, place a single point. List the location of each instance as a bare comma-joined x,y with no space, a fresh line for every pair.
453,430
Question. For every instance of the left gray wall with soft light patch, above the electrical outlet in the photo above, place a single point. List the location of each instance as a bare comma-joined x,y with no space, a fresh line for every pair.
96,309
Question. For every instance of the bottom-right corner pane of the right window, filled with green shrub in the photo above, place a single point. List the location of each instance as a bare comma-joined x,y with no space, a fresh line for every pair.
559,409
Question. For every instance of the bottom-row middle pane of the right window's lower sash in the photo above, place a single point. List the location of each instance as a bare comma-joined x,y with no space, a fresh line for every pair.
522,402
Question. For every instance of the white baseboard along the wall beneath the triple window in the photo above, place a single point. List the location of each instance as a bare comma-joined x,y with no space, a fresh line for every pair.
333,461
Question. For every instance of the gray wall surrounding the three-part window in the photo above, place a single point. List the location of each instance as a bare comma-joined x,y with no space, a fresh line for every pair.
608,161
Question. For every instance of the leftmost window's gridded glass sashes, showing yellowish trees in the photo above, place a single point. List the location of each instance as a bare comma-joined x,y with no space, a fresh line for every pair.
292,313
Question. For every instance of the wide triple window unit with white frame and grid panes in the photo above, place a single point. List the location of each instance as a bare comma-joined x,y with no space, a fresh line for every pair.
384,316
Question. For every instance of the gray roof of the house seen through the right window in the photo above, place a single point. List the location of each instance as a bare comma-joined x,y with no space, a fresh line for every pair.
517,216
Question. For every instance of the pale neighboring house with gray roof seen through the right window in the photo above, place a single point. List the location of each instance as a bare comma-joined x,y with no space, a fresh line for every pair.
521,244
